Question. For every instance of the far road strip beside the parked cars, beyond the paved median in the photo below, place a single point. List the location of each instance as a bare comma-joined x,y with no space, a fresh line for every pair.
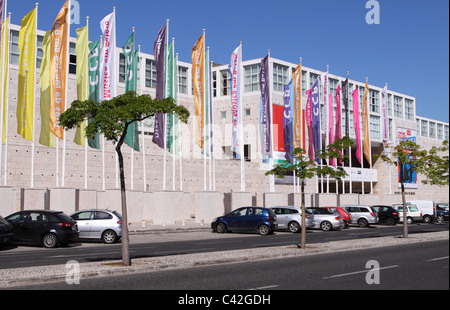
153,245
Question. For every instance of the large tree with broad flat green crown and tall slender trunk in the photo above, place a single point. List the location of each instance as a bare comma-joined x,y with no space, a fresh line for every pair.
112,118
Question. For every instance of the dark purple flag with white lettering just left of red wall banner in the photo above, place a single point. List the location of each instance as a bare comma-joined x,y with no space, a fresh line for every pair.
265,119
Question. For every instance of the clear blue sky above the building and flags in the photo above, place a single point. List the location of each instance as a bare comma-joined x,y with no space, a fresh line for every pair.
408,48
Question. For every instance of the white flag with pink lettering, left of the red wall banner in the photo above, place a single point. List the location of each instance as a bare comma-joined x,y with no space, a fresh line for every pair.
236,101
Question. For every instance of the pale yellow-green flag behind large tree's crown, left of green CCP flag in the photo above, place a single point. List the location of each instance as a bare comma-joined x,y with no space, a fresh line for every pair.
82,52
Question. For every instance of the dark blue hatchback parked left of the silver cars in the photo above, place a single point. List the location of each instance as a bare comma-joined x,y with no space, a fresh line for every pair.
261,220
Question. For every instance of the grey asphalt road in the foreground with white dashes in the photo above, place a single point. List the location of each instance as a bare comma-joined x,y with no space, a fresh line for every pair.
405,267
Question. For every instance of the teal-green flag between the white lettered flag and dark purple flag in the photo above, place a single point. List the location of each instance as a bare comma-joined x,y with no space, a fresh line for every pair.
132,136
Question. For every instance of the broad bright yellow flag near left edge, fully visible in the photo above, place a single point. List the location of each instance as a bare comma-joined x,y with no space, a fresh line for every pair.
27,65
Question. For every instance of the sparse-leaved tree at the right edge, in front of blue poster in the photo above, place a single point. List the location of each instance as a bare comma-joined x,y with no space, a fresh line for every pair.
410,158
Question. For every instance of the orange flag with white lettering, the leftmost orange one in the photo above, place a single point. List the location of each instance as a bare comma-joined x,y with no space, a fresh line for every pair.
59,53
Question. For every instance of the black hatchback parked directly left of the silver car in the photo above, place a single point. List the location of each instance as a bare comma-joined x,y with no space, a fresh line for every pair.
49,228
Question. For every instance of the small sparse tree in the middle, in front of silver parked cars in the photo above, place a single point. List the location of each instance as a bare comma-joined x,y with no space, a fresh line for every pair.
307,168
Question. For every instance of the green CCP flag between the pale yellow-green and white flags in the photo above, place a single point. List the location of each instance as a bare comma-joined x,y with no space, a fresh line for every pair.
94,86
